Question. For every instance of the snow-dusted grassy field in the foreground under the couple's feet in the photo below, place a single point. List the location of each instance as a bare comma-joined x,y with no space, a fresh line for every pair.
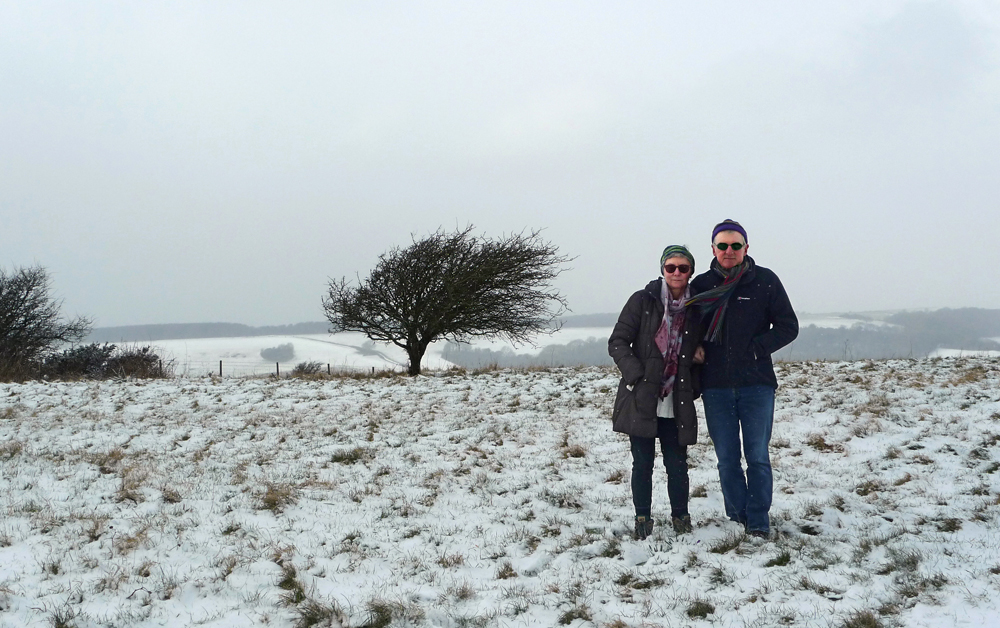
490,499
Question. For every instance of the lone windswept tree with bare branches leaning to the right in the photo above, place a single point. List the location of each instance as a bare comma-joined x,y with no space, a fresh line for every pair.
453,286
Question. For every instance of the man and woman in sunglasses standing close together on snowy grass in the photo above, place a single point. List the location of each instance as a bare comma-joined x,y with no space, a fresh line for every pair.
712,337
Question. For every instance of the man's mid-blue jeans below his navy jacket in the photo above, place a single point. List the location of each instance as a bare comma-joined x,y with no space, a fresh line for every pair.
749,409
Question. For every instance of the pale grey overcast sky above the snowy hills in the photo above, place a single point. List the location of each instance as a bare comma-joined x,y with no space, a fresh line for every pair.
218,161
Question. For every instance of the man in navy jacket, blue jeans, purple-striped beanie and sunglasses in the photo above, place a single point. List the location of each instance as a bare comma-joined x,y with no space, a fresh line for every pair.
747,317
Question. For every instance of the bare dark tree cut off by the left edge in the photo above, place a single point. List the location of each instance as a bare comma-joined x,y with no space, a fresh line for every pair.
31,326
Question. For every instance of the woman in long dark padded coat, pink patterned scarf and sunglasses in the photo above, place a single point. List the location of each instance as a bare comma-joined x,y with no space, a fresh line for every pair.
655,345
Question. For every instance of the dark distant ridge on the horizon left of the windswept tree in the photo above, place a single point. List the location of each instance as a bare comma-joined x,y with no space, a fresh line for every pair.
180,331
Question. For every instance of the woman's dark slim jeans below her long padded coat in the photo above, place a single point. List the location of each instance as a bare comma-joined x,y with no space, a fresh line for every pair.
675,461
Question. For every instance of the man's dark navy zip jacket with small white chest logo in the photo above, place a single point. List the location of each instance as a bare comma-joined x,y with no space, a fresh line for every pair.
759,320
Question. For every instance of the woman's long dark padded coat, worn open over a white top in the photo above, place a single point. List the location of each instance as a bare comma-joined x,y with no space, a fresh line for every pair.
633,347
